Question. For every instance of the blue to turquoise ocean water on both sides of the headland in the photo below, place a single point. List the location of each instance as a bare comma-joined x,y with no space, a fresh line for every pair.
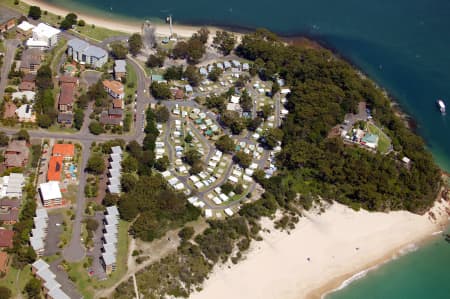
404,45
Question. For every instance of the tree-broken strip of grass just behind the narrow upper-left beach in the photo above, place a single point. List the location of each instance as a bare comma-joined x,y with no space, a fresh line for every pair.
90,31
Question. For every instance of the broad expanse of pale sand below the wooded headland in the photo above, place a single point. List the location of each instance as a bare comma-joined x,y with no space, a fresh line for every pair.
339,244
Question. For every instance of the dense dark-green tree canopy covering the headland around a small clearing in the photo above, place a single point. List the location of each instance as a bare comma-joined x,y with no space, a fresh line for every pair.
324,88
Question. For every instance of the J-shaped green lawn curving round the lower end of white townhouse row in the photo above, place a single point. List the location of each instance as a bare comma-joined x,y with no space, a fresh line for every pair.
87,285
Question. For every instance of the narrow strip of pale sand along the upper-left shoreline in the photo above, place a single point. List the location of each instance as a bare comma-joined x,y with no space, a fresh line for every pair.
124,26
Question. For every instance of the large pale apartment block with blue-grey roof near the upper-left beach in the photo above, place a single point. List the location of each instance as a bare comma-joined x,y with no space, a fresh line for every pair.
84,53
